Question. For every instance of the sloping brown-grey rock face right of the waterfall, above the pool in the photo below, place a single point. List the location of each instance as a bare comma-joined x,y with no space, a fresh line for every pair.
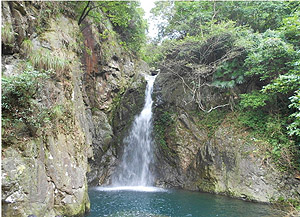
191,156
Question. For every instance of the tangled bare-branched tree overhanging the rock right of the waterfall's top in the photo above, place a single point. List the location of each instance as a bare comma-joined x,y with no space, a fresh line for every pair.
194,64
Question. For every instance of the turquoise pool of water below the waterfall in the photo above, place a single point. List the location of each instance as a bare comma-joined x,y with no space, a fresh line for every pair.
175,203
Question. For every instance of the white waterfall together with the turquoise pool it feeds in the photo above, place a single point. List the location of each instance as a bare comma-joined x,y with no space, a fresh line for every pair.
132,194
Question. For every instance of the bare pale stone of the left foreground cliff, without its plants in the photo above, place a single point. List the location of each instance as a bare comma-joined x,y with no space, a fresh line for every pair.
37,171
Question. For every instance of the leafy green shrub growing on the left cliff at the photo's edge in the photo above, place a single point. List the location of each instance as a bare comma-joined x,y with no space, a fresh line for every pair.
22,115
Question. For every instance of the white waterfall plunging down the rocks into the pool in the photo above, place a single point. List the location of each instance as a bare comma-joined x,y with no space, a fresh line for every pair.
134,169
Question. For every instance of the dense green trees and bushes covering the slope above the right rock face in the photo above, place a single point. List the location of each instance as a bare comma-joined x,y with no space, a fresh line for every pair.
249,49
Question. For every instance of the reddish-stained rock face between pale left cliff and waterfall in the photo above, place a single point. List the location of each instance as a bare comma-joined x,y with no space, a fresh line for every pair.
111,79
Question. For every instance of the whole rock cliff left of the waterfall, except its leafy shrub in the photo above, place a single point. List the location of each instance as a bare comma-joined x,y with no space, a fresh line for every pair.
47,165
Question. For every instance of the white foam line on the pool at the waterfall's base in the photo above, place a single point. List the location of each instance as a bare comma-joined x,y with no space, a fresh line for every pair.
131,188
